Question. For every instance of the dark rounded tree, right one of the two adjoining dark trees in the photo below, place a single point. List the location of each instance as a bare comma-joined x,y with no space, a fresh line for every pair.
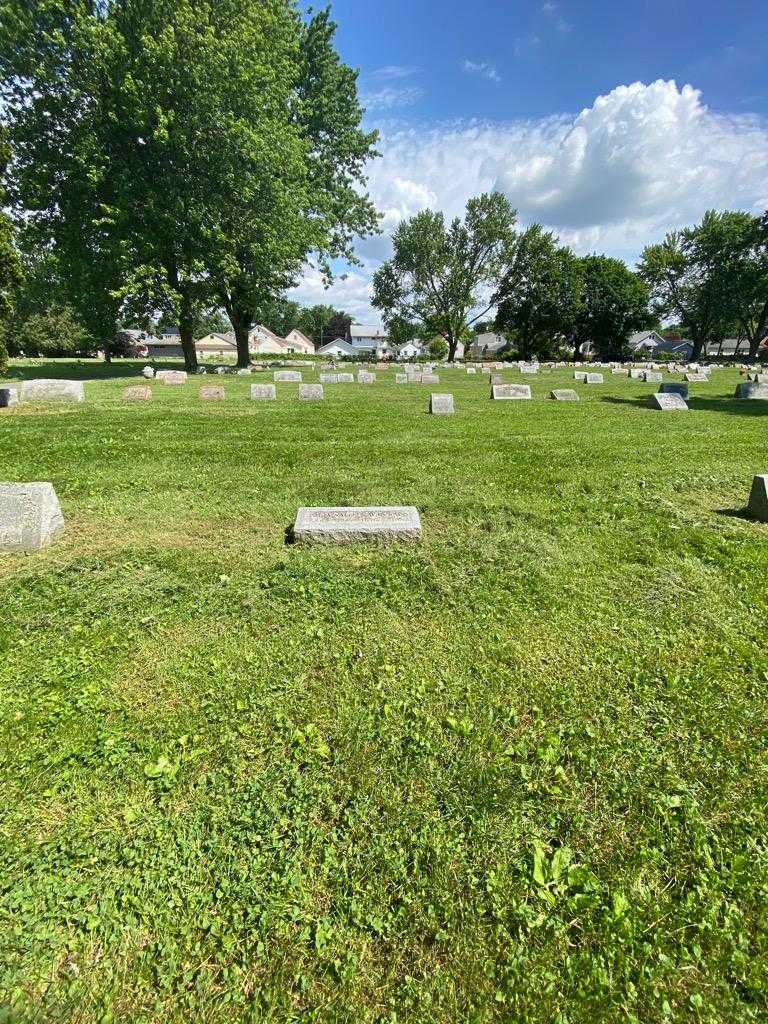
614,305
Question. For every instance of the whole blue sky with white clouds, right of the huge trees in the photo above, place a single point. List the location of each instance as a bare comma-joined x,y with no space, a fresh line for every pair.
610,122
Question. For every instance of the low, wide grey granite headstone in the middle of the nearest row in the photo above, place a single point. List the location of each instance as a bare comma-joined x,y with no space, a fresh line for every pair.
351,526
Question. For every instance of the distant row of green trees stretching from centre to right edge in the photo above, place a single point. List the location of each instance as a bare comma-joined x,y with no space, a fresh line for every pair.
481,273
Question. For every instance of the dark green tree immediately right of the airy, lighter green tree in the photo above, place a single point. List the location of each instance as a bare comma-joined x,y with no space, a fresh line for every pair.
541,293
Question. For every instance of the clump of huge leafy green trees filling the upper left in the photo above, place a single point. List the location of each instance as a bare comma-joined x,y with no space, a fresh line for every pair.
174,158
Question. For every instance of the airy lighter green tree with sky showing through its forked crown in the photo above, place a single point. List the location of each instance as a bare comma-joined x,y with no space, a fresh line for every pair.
444,278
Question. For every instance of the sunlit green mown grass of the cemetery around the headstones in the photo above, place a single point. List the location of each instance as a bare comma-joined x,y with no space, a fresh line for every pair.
515,773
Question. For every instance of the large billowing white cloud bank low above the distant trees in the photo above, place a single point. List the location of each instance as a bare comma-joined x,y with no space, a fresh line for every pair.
643,160
